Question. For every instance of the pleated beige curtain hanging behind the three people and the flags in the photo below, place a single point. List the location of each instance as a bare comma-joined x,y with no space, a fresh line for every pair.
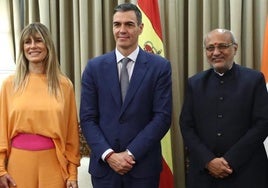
82,29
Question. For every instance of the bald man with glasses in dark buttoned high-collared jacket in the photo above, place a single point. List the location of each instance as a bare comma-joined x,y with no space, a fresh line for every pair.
224,120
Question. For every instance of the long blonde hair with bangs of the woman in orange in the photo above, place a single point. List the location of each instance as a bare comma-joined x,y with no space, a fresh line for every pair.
51,62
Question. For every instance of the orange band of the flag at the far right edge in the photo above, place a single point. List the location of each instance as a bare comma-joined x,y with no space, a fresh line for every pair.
264,66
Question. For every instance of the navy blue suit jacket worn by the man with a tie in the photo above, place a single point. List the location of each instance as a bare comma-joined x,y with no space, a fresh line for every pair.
138,124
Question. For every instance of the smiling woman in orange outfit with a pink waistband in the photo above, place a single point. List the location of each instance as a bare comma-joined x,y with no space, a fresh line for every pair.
39,141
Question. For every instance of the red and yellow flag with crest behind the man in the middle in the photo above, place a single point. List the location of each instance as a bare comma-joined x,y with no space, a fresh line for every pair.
151,41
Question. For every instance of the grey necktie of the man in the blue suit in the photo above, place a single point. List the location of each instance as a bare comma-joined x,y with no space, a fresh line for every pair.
124,79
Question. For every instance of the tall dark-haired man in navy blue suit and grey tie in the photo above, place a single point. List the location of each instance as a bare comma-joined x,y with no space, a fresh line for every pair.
124,136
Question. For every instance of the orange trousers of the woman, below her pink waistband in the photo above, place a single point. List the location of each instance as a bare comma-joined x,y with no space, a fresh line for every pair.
35,169
